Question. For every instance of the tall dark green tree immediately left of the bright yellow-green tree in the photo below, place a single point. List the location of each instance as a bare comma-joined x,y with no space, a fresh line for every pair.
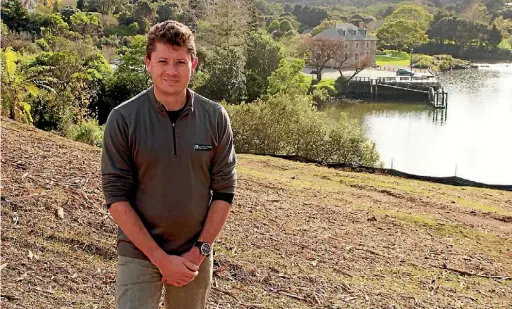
263,57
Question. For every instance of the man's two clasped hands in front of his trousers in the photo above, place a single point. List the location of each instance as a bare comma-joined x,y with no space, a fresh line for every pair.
179,271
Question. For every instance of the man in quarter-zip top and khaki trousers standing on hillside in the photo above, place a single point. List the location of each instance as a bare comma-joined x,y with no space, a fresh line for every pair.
168,171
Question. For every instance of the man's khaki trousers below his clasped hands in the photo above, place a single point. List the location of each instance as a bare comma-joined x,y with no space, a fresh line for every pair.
139,286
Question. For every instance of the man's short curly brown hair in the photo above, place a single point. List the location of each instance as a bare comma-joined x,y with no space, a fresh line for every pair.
173,33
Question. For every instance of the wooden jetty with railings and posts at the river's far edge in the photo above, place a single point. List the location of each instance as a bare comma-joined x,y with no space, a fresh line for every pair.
426,85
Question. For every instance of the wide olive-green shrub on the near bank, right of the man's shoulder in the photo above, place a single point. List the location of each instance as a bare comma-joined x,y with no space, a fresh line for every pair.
291,125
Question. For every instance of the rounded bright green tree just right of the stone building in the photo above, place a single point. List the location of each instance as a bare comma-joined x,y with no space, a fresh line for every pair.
401,34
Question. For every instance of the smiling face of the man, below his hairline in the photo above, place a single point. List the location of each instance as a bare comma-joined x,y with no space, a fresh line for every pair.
171,68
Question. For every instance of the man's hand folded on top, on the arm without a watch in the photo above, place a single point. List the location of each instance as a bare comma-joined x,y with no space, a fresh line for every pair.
177,270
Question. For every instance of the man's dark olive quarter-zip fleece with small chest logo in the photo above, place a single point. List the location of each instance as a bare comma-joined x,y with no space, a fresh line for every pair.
167,172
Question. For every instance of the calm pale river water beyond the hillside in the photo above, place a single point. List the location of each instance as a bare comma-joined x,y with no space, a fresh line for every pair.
471,139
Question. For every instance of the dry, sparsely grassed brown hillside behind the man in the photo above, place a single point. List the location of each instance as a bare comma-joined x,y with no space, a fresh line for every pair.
299,236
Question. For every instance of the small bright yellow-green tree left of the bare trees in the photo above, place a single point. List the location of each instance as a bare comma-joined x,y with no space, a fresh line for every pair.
288,78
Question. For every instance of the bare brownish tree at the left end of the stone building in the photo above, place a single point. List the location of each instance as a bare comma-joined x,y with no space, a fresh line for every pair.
322,51
